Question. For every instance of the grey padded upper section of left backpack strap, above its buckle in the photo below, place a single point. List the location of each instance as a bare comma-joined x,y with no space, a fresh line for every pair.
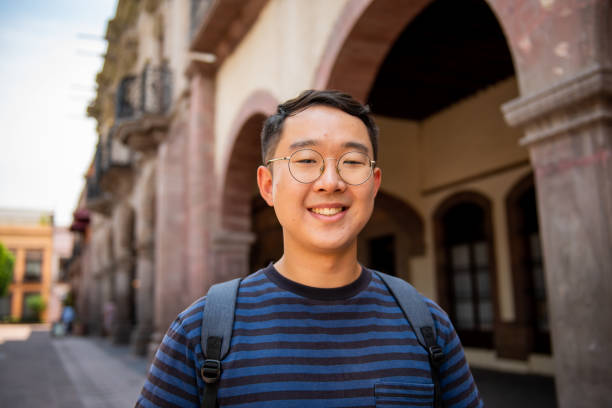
218,317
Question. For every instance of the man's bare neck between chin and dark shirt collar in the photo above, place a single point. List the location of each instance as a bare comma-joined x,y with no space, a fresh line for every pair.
320,269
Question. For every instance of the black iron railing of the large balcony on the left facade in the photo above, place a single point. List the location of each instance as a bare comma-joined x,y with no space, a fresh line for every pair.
150,92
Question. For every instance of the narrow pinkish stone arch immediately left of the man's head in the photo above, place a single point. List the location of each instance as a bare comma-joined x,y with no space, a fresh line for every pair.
241,159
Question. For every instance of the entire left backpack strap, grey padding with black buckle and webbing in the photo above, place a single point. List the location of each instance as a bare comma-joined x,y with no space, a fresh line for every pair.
217,324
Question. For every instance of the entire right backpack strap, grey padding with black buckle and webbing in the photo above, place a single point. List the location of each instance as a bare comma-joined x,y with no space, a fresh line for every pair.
419,316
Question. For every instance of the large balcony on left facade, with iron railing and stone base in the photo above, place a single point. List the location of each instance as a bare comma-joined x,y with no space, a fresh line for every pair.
142,106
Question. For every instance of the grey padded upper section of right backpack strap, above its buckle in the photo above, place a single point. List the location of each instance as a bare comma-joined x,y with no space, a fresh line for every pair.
412,304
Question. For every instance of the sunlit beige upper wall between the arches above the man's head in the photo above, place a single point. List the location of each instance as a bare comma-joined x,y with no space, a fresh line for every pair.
269,58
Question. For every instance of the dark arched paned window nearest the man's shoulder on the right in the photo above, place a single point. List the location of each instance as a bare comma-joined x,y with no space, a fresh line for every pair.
446,241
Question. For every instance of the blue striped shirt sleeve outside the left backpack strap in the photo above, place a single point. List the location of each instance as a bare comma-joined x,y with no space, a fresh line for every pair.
172,378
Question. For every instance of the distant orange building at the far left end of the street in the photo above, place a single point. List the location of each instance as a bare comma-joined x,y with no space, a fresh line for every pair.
28,234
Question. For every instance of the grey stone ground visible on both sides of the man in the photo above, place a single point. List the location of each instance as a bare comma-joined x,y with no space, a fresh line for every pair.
38,370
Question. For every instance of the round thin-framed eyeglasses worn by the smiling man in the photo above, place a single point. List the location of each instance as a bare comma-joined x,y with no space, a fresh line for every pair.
307,165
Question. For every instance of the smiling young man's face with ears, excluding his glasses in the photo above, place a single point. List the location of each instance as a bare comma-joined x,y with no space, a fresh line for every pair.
327,214
